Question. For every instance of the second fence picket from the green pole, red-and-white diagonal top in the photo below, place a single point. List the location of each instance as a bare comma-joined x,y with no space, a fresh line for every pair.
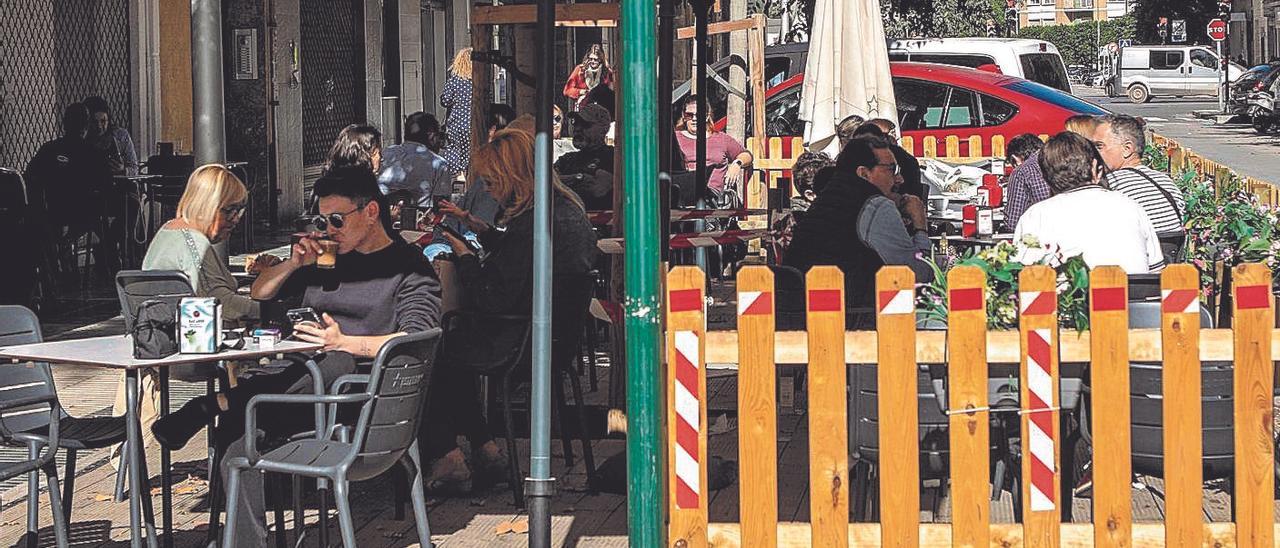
758,412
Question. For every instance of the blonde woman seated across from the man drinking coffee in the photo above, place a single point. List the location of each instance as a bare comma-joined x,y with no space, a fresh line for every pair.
209,211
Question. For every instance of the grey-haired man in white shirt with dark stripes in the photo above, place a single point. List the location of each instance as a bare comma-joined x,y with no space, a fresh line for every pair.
1121,141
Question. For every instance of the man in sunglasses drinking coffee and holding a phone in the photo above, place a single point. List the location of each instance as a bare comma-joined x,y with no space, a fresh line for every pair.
380,287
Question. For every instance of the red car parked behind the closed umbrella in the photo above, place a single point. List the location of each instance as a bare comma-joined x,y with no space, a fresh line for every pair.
940,102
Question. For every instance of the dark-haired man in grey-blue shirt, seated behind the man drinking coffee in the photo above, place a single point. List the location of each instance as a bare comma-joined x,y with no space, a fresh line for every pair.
414,167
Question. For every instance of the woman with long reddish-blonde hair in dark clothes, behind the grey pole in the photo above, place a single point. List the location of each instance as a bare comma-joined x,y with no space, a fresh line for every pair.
501,285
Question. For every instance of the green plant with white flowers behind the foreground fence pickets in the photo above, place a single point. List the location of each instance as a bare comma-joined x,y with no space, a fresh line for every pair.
1003,264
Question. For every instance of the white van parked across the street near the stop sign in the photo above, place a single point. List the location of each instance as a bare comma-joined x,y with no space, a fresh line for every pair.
1168,71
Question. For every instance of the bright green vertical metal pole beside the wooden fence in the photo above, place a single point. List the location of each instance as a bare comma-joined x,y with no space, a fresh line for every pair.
643,305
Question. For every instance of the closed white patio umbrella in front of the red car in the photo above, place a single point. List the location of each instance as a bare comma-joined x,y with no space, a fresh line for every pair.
848,71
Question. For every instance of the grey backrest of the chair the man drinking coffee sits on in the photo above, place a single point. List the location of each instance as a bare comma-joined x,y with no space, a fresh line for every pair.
388,422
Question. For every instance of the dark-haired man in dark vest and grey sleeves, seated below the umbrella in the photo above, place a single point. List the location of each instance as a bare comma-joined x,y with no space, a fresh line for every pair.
854,226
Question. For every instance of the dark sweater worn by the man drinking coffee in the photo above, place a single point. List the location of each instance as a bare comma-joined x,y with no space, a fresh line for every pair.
388,291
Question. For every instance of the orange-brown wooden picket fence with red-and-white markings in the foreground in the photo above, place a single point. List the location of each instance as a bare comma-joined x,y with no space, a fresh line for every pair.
967,348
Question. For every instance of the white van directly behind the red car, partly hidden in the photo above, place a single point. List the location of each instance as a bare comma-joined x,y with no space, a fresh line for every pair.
1036,61
